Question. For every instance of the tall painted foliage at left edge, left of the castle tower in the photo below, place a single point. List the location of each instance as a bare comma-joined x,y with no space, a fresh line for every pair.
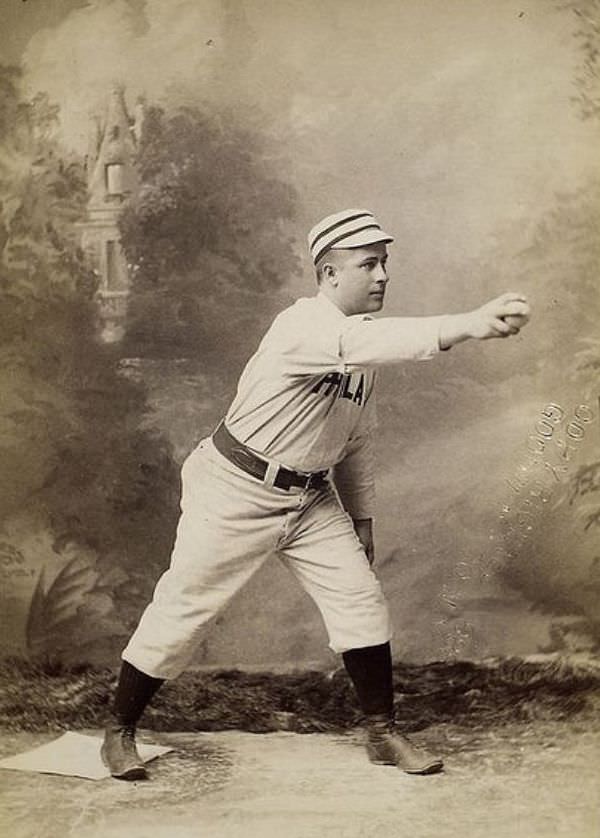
75,463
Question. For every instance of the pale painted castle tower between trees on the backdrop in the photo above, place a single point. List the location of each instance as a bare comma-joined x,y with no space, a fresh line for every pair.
112,179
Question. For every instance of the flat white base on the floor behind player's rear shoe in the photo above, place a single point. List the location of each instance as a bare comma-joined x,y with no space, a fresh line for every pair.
73,755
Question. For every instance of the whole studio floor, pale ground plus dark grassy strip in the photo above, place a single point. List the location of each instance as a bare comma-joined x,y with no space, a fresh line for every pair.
520,739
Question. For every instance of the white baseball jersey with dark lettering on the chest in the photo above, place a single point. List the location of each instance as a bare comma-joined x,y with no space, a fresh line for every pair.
305,398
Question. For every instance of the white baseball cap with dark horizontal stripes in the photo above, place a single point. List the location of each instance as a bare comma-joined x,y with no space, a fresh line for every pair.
350,228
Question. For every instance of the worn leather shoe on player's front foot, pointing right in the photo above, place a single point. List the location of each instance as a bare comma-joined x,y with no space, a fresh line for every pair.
385,746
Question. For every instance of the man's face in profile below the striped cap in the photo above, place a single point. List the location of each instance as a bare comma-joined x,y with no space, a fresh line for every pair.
359,277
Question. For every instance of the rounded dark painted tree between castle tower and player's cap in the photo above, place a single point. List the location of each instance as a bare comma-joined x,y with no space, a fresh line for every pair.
208,237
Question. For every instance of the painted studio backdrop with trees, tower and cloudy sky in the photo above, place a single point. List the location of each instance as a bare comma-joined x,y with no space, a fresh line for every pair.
160,165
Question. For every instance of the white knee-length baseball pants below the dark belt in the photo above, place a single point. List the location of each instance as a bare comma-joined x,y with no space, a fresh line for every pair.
230,523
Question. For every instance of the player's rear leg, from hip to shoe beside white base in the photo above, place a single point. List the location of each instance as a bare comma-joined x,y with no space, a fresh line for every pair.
224,535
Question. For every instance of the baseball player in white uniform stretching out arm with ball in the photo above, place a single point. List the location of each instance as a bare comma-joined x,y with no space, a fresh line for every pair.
290,470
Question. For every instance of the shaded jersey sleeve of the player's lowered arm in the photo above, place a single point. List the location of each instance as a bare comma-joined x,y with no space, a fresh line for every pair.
354,475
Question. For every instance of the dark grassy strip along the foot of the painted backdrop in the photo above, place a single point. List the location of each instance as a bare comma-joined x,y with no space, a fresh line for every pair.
43,698
